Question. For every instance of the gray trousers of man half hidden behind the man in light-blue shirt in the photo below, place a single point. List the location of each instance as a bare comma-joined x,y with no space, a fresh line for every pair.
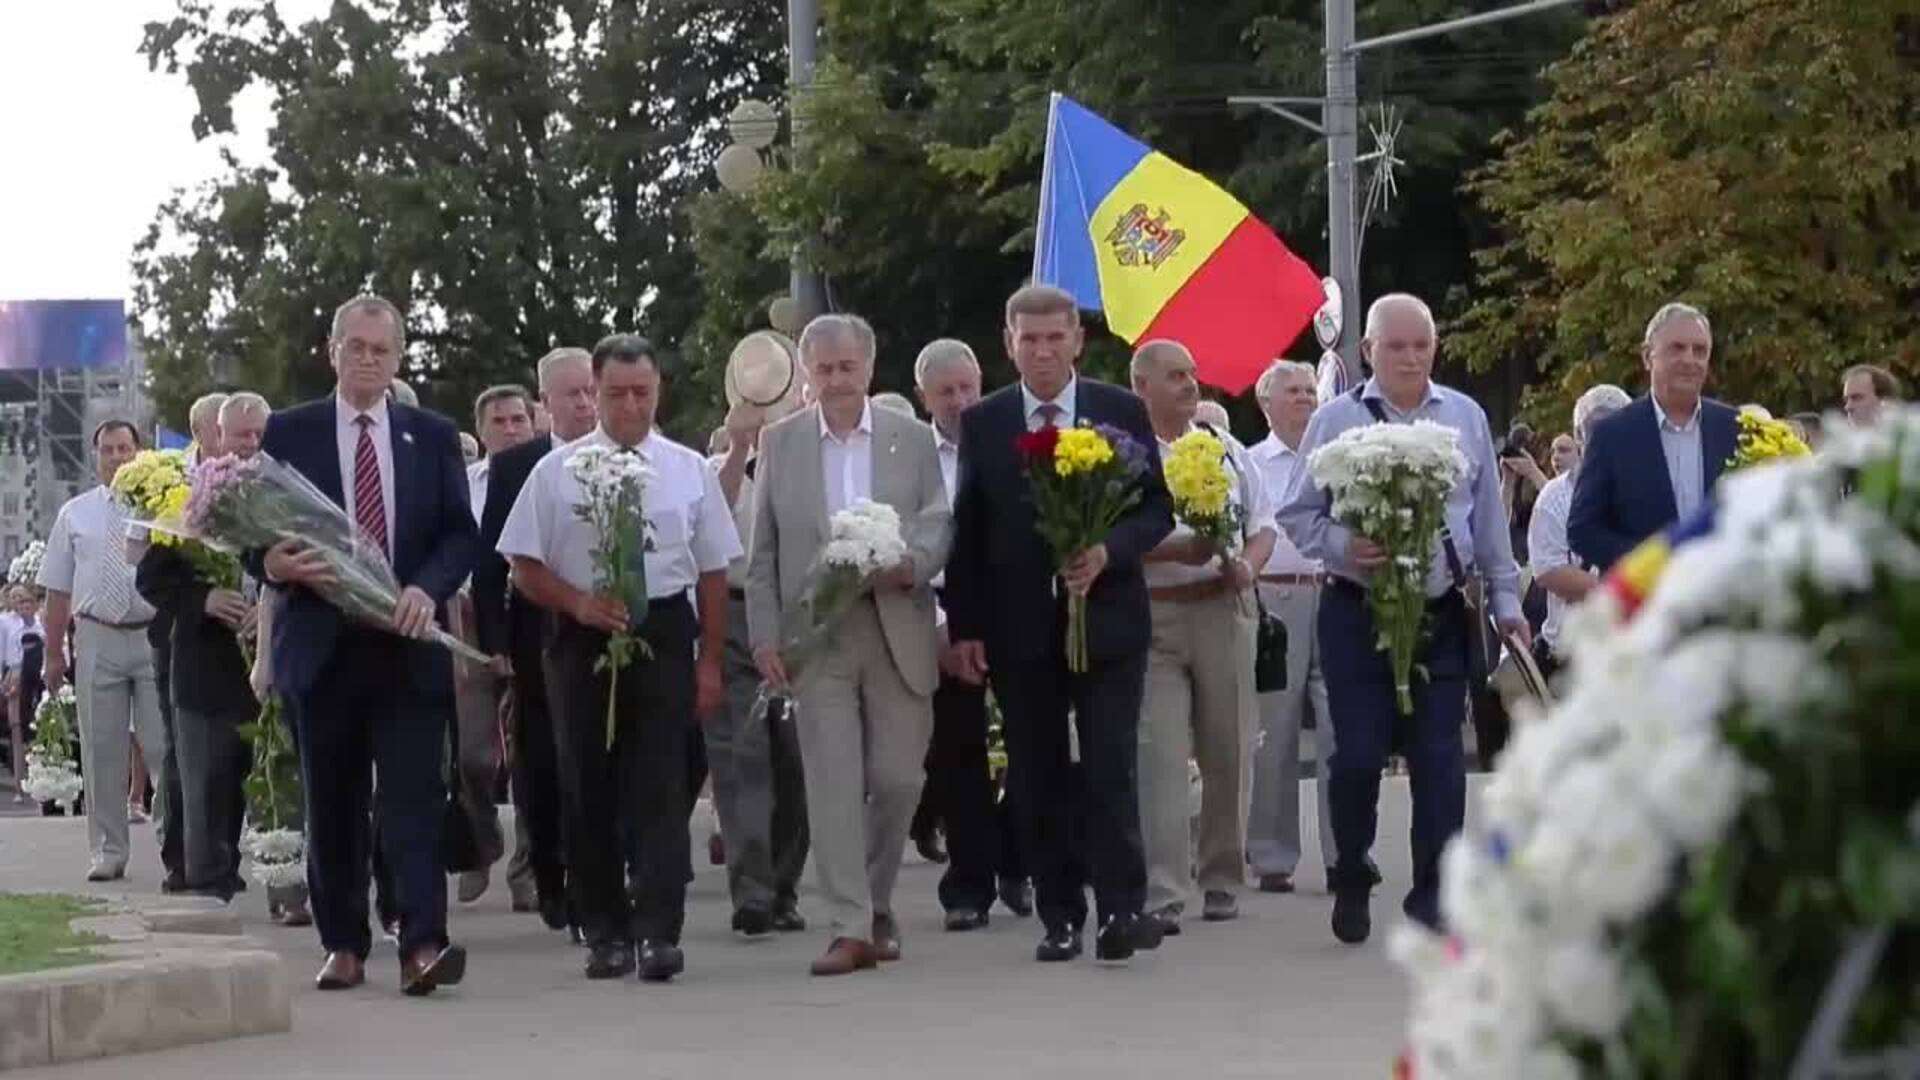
1274,825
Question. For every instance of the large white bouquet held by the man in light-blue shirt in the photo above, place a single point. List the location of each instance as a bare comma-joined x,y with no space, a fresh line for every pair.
1391,485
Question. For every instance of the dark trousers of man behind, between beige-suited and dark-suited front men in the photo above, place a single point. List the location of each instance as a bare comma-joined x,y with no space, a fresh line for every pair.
961,798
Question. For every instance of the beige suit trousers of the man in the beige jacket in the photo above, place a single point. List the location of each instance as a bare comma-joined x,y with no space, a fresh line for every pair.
863,750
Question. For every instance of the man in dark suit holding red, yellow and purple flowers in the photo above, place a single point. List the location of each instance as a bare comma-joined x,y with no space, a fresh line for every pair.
1007,618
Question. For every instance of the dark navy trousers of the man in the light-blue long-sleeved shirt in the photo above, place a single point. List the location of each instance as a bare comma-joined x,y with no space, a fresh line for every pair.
1360,695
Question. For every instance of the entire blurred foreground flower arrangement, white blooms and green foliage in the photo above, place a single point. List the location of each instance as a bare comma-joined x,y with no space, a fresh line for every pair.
1669,864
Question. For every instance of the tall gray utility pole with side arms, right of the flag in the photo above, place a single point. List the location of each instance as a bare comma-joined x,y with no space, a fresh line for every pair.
1341,130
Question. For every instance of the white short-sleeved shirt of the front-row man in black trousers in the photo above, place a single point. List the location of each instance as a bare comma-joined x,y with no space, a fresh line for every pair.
688,520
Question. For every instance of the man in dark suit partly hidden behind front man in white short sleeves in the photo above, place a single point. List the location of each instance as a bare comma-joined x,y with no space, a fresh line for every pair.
514,627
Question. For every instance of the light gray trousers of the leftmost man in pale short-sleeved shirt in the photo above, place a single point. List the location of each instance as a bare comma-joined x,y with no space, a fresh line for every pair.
114,689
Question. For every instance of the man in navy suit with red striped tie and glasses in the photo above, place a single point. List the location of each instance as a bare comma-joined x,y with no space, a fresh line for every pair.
373,702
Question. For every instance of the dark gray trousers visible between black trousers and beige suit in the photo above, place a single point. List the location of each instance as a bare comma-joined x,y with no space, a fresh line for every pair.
759,787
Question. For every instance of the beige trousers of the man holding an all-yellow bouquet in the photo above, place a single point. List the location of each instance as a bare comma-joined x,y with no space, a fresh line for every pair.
1199,706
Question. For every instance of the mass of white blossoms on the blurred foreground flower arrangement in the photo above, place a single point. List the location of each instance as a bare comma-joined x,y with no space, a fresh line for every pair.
1598,804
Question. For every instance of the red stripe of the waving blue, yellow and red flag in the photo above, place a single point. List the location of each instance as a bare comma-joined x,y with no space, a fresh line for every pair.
1243,308
